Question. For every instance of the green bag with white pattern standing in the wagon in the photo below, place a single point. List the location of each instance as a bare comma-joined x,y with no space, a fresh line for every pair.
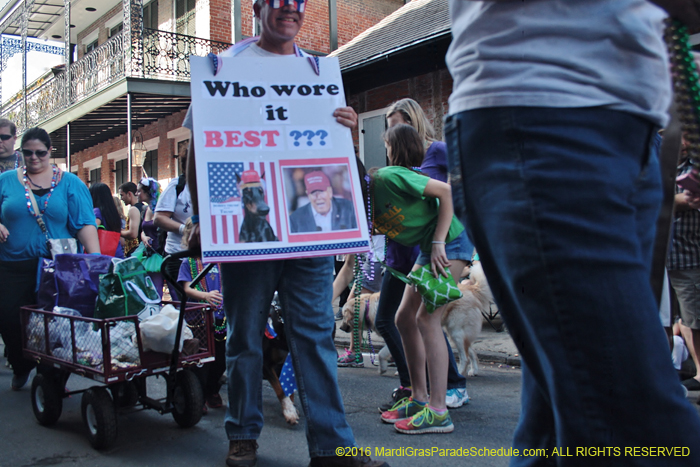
126,290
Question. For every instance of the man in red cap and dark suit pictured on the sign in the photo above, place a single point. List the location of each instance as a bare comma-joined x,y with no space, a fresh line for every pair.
324,213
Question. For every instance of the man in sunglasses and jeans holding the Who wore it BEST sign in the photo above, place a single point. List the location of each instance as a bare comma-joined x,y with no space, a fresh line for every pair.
304,286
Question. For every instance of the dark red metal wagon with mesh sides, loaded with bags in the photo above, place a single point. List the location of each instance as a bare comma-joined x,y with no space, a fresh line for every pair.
110,351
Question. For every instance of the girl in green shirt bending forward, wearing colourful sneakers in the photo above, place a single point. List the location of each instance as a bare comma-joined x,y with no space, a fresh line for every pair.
413,209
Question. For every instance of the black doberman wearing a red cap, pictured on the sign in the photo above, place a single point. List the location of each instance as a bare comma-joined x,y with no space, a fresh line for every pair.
255,228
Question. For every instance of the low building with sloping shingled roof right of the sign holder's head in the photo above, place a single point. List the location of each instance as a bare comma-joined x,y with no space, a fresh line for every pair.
401,56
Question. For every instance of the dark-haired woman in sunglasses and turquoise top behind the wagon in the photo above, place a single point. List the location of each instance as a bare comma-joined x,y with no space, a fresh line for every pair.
64,203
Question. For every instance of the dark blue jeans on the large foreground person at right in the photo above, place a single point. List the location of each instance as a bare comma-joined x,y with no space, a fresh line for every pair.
562,206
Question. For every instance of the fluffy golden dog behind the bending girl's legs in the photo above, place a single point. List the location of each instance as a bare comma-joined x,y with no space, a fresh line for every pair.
461,320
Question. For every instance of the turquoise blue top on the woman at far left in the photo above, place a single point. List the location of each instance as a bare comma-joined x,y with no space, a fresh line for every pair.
68,211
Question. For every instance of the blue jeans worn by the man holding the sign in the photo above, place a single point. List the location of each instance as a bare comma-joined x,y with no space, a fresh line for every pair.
305,289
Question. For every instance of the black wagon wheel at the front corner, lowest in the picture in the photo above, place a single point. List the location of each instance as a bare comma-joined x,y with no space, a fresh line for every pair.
99,417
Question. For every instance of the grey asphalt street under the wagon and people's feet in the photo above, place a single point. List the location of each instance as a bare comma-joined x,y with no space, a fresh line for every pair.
148,439
